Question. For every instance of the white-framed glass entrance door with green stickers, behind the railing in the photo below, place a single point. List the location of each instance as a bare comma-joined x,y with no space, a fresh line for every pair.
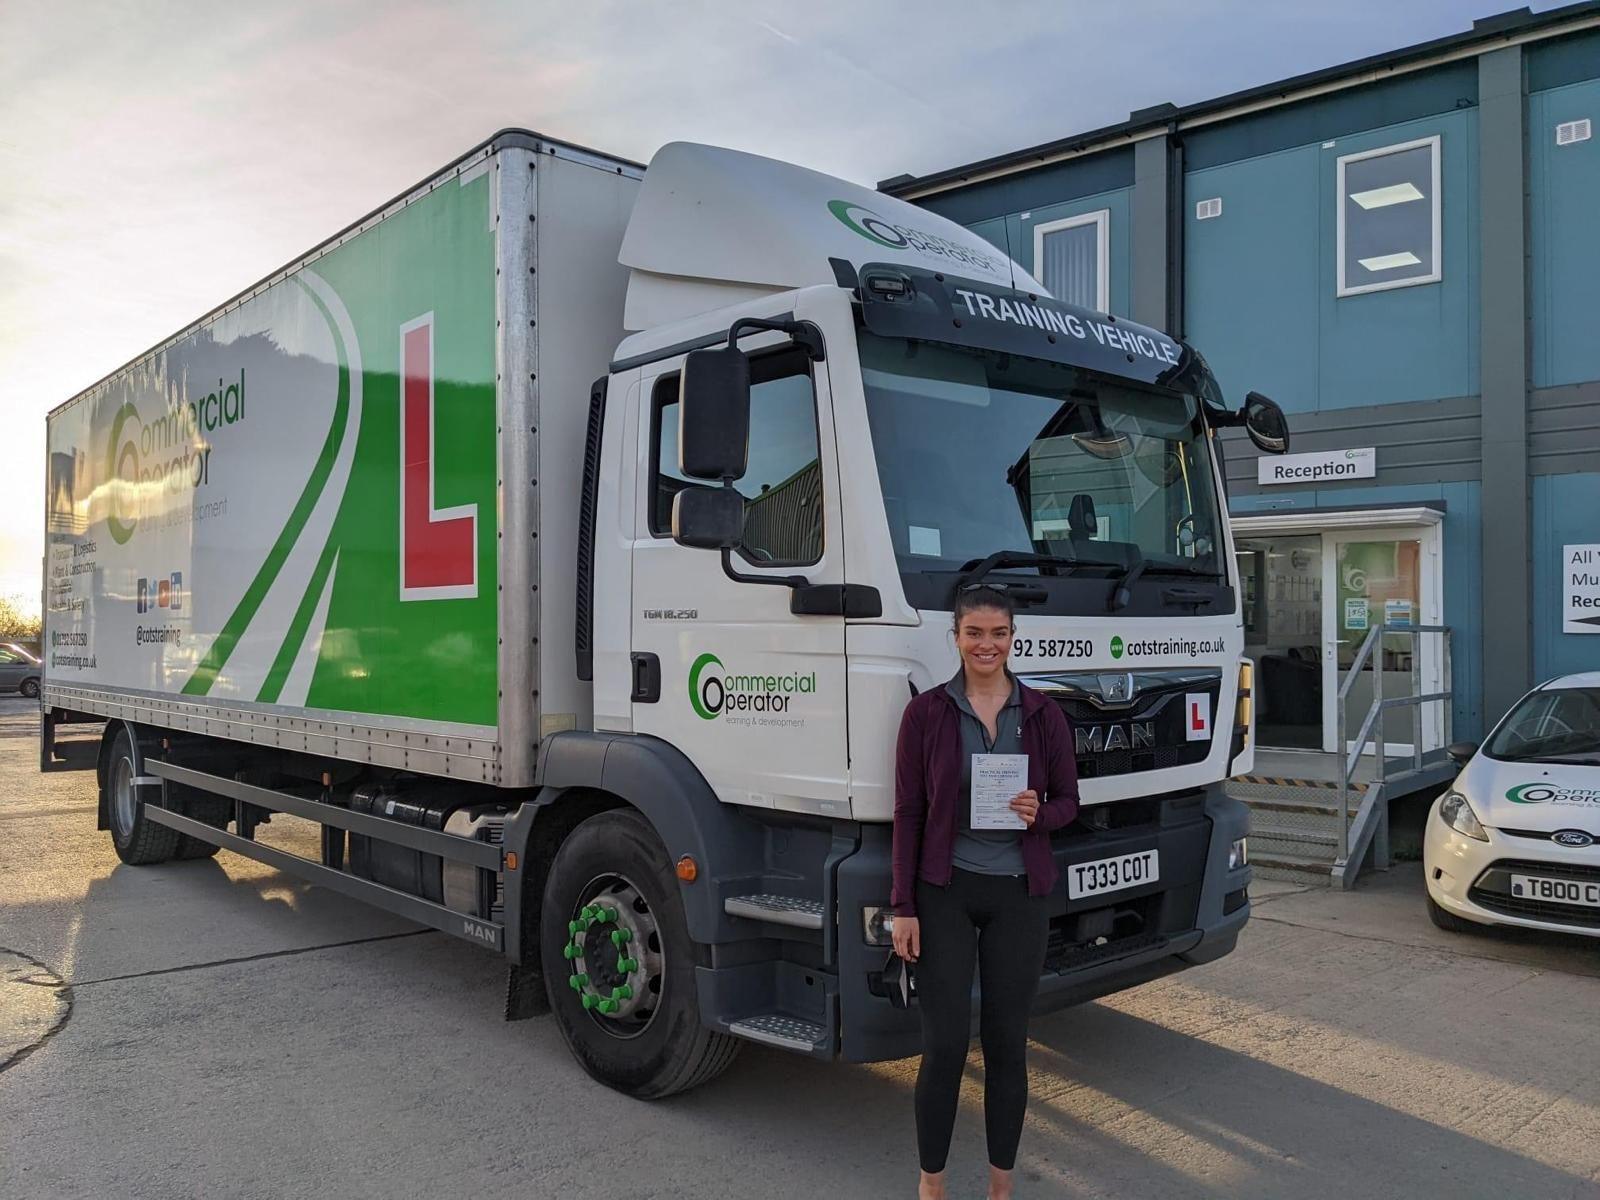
1370,578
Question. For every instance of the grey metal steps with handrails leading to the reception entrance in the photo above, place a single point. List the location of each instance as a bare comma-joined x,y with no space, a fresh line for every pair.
1322,817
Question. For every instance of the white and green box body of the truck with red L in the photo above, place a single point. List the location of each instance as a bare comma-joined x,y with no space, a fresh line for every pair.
326,497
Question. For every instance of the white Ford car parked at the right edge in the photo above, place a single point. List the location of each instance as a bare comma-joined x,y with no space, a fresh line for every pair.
1516,841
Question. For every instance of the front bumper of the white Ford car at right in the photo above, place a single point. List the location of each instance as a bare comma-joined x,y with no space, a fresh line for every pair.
1471,879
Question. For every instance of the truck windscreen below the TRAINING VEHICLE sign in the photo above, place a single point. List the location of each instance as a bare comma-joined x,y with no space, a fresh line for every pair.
982,452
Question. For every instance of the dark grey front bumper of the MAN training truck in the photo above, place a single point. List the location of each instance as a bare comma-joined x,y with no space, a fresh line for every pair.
1191,916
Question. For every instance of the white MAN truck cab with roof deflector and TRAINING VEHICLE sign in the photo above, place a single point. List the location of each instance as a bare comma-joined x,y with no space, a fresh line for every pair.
798,484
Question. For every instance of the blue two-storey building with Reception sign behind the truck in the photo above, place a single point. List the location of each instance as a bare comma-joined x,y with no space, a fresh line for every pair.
1406,254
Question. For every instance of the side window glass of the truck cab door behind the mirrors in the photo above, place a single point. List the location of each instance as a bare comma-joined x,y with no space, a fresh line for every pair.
783,482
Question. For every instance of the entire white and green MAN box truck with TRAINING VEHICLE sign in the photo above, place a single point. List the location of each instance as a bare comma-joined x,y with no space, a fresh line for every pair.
410,540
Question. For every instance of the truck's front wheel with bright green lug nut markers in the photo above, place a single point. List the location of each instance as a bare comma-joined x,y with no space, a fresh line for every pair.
620,966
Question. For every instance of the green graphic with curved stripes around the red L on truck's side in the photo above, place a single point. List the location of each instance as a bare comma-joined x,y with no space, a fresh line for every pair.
422,281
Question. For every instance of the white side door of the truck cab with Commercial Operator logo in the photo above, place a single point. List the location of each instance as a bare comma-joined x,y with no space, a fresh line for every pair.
750,692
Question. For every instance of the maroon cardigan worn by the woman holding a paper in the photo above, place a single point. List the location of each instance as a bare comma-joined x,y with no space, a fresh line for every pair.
929,791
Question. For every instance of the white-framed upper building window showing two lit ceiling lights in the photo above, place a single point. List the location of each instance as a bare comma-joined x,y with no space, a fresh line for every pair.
1390,218
